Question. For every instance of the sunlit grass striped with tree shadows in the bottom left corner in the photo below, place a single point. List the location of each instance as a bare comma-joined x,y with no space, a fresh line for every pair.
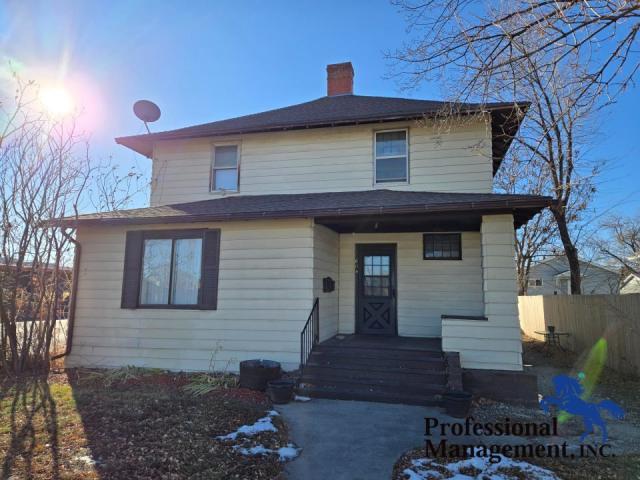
29,412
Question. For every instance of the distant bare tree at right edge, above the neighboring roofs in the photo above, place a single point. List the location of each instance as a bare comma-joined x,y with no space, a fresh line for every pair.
620,242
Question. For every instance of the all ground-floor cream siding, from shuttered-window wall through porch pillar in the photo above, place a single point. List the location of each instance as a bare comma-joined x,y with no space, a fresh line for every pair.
270,272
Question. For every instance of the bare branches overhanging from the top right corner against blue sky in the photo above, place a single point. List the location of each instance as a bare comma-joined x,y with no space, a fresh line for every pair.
483,40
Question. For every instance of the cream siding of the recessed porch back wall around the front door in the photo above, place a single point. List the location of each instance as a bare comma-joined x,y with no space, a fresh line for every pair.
426,289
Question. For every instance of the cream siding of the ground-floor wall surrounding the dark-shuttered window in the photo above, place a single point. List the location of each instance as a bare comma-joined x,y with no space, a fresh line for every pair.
266,285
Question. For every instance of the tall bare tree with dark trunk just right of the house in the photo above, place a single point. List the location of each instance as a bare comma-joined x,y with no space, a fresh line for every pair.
556,123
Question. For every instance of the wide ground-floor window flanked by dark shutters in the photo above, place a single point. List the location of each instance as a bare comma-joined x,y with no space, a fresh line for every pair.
171,269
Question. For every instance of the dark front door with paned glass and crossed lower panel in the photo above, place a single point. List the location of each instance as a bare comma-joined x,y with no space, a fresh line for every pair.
376,289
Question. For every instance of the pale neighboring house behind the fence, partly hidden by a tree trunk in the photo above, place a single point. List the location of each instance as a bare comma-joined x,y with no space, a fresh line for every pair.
552,277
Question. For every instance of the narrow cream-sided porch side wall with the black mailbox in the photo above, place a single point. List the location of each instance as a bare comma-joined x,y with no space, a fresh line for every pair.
326,247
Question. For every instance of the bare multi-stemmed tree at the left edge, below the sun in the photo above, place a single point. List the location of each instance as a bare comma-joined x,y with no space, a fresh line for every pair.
45,173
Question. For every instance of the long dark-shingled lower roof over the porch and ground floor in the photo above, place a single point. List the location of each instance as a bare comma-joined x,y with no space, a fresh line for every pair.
327,208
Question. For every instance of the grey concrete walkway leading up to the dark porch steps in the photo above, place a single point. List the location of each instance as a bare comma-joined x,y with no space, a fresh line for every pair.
352,440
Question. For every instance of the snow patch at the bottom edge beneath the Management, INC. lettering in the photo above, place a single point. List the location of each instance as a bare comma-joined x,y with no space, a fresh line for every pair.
488,470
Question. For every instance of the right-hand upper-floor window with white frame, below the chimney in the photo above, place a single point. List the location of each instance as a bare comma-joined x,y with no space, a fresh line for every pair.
391,156
